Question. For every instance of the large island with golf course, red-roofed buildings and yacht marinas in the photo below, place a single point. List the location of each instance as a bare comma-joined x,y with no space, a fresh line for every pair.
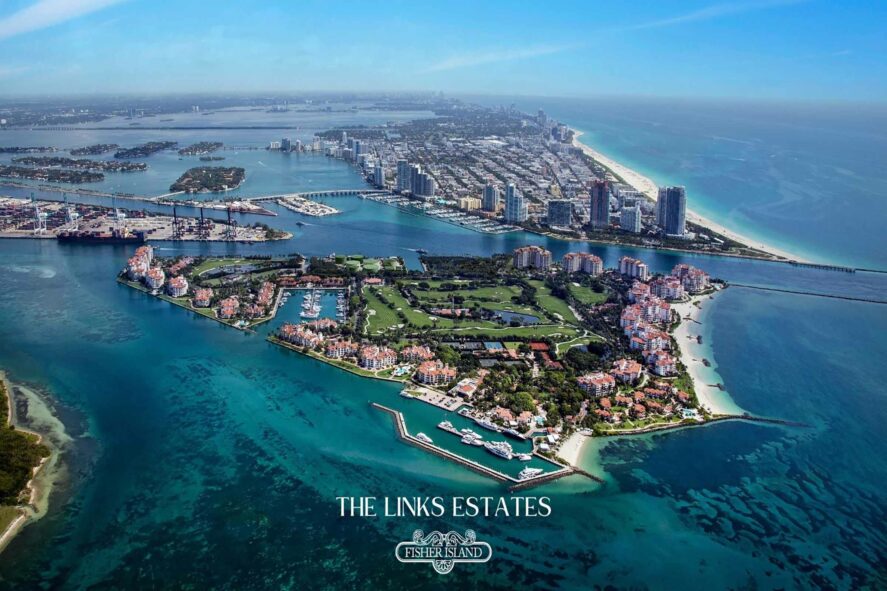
538,350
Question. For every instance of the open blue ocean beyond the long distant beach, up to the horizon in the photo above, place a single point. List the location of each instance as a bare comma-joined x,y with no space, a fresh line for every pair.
807,178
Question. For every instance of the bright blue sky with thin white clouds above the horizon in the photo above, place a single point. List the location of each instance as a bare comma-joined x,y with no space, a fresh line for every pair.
816,50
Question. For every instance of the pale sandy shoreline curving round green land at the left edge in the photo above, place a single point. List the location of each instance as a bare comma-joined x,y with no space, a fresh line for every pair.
43,476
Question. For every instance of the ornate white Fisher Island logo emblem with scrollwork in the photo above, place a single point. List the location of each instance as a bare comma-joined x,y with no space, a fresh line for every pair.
443,551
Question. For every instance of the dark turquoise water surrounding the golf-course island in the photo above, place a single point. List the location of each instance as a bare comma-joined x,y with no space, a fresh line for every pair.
206,457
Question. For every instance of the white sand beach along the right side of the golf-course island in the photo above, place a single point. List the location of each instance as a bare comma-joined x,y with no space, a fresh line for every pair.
715,400
